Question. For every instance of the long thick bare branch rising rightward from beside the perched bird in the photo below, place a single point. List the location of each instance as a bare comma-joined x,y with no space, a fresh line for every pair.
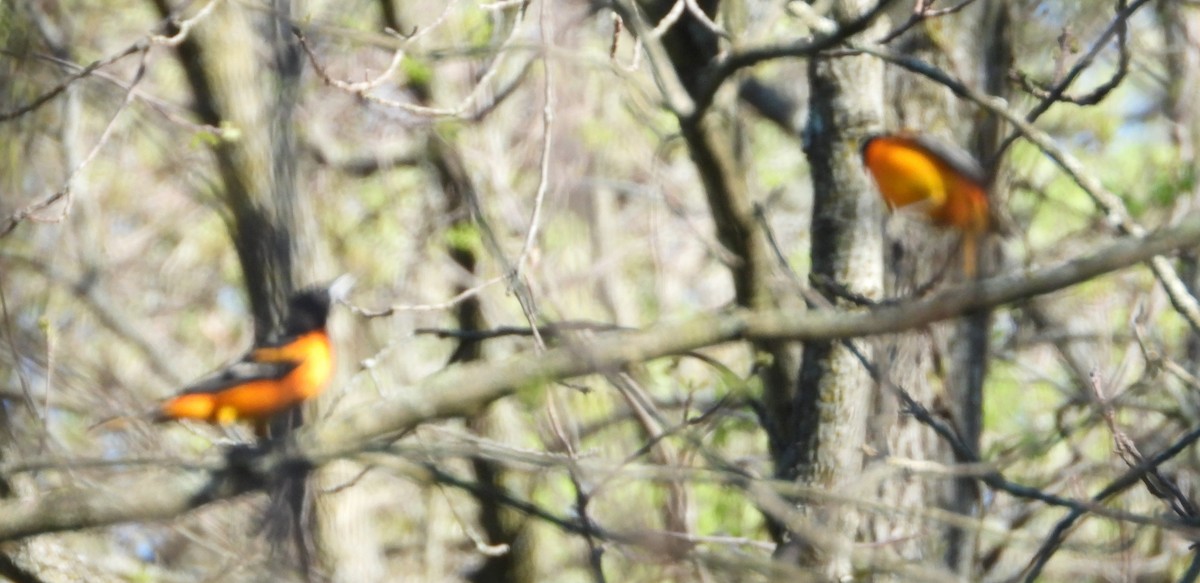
479,383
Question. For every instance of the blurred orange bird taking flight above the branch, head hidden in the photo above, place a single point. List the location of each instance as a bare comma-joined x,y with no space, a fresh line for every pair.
946,182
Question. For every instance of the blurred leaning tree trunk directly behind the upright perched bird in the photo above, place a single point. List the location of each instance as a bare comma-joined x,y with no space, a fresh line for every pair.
253,100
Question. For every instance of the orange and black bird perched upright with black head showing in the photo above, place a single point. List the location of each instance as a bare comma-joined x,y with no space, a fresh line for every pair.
271,378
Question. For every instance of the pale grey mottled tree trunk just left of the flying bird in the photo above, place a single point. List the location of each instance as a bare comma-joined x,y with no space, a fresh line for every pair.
829,428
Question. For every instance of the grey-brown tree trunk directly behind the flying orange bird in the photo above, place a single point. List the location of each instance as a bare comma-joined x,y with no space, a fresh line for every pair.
922,255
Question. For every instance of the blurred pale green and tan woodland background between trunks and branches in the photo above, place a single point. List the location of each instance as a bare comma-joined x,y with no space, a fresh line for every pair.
121,292
